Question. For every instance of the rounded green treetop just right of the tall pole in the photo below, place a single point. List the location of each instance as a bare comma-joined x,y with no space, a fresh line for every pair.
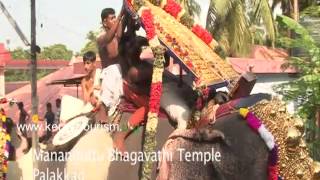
56,51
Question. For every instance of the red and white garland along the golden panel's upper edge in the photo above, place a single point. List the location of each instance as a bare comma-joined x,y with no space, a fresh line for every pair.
174,9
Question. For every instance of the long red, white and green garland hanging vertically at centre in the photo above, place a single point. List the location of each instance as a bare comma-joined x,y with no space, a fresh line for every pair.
156,86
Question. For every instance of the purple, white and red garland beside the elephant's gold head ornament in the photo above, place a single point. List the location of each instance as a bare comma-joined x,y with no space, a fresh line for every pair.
256,125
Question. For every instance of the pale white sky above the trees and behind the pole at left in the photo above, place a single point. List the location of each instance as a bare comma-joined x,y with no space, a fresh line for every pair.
61,21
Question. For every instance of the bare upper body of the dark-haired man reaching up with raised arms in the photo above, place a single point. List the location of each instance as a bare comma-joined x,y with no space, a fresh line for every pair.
108,41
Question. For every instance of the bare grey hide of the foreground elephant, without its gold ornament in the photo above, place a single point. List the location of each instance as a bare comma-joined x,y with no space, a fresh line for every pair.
236,151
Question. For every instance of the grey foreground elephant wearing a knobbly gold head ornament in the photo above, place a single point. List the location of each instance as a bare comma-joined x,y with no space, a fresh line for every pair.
235,150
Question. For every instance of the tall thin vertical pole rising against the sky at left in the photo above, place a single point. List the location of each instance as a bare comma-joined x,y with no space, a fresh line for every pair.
33,70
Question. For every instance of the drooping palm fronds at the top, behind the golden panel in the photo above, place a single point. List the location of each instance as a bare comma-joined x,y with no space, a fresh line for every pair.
231,23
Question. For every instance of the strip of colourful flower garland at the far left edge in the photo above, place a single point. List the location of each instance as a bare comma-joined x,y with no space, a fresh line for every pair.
5,147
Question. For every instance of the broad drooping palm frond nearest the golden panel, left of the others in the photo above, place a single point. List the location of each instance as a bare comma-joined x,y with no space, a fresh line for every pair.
229,18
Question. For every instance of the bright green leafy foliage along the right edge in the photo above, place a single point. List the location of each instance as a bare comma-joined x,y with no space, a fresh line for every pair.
306,89
